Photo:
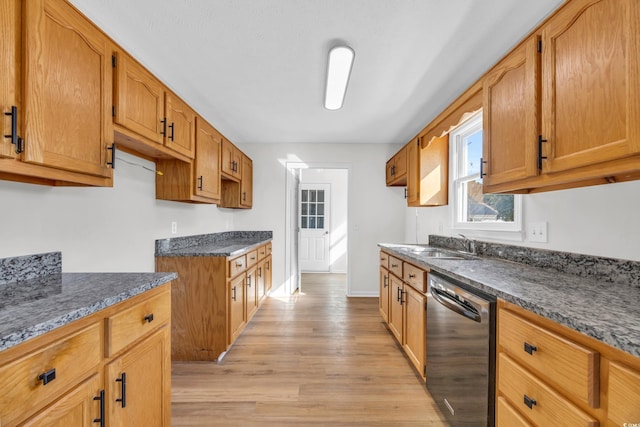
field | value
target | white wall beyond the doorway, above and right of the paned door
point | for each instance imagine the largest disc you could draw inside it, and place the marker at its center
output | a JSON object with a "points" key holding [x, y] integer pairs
{"points": [[338, 178]]}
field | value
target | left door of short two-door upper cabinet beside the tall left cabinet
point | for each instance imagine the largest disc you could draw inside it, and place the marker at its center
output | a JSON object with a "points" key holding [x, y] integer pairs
{"points": [[139, 99]]}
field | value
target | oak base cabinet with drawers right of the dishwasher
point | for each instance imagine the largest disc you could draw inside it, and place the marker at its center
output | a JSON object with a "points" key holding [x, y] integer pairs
{"points": [[548, 374]]}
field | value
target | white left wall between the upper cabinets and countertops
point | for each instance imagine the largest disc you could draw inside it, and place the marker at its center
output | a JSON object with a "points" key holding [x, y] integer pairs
{"points": [[100, 229]]}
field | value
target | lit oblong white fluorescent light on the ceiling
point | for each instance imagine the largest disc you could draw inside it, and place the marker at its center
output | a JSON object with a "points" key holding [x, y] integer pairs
{"points": [[338, 71]]}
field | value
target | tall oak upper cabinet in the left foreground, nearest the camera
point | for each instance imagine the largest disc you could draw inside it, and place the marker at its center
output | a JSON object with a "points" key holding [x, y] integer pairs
{"points": [[63, 138]]}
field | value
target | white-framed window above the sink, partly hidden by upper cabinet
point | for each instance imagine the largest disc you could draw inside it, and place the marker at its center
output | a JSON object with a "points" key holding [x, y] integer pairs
{"points": [[471, 208]]}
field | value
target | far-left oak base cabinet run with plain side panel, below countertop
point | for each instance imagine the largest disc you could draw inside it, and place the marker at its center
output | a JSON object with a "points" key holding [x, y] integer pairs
{"points": [[213, 299]]}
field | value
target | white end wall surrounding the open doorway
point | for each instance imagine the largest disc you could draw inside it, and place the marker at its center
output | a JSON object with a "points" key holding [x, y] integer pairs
{"points": [[375, 211]]}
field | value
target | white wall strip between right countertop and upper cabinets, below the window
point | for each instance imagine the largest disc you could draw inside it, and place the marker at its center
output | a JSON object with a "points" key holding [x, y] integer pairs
{"points": [[601, 220]]}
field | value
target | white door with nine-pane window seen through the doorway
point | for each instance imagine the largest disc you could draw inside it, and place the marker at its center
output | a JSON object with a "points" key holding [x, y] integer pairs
{"points": [[314, 222]]}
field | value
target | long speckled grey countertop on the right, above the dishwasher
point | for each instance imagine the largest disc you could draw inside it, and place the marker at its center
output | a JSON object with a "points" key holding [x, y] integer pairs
{"points": [[605, 310]]}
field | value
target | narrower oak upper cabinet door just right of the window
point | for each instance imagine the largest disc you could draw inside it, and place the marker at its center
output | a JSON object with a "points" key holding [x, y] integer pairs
{"points": [[510, 128]]}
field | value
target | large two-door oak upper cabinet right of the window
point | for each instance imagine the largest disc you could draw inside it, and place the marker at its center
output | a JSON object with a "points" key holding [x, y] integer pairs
{"points": [[576, 121]]}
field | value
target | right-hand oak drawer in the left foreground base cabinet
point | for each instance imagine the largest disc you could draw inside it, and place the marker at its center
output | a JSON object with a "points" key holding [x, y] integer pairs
{"points": [[131, 324]]}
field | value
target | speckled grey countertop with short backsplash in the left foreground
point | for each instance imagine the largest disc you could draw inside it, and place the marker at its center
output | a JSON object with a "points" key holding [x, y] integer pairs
{"points": [[31, 306]]}
